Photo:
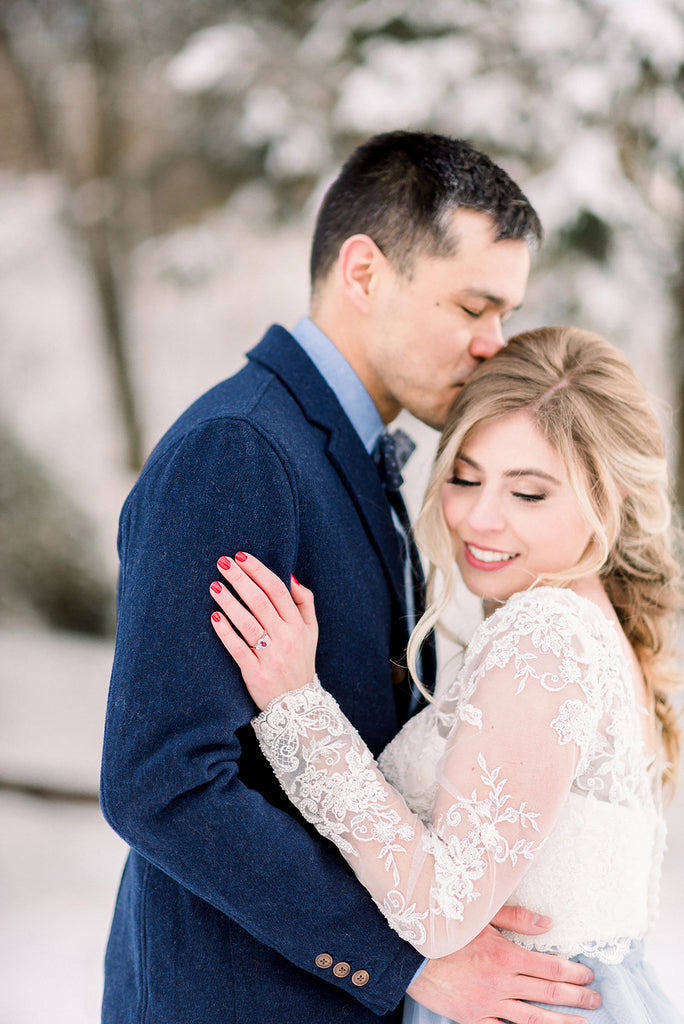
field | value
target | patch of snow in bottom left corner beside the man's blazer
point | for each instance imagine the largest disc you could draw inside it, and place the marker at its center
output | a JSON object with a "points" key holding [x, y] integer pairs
{"points": [[61, 868]]}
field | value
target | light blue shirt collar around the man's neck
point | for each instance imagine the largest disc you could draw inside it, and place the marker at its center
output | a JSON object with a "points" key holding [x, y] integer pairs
{"points": [[345, 381]]}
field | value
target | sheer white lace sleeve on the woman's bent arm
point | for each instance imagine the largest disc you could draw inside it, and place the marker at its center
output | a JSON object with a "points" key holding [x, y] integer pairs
{"points": [[515, 746]]}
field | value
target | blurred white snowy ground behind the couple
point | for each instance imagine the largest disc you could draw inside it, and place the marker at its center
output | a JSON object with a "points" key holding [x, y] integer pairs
{"points": [[60, 864]]}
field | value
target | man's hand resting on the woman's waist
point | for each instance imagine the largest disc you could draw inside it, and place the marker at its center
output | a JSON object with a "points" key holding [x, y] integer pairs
{"points": [[493, 979]]}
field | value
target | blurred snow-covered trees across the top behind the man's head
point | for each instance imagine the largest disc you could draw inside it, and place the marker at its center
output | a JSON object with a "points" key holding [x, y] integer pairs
{"points": [[582, 101]]}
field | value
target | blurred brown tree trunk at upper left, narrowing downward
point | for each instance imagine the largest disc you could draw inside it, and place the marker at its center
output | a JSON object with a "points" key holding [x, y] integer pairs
{"points": [[41, 53]]}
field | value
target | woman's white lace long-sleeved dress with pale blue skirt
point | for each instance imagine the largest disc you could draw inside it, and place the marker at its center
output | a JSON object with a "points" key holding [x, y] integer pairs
{"points": [[527, 783]]}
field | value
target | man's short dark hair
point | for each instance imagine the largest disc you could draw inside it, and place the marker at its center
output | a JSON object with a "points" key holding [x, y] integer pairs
{"points": [[400, 188]]}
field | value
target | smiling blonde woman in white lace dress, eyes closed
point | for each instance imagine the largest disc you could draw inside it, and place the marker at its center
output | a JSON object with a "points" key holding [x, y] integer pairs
{"points": [[536, 776]]}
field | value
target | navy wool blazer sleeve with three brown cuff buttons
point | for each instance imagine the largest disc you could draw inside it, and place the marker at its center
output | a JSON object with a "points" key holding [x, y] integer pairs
{"points": [[172, 784]]}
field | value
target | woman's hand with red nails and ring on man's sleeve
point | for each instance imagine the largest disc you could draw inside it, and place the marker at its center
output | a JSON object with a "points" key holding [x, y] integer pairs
{"points": [[274, 638]]}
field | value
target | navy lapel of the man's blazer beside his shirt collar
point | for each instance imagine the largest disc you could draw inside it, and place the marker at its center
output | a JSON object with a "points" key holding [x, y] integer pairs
{"points": [[280, 353]]}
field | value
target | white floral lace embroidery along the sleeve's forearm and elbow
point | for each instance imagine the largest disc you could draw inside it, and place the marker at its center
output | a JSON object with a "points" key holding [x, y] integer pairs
{"points": [[336, 790]]}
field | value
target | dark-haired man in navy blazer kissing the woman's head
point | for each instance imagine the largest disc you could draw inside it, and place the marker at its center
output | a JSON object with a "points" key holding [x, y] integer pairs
{"points": [[231, 910]]}
